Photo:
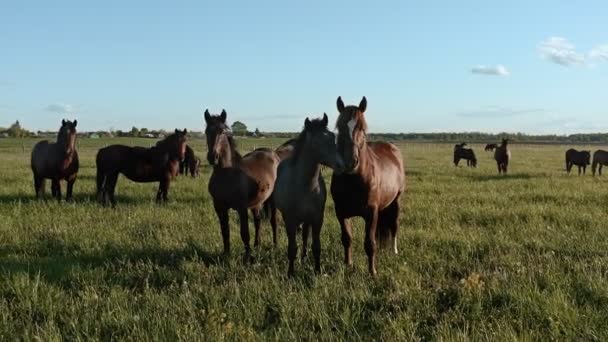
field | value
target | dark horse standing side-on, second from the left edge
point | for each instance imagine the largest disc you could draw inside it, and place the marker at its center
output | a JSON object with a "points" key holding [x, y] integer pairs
{"points": [[159, 163]]}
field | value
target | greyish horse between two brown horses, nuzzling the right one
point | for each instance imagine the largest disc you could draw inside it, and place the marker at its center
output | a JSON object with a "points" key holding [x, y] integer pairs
{"points": [[299, 191]]}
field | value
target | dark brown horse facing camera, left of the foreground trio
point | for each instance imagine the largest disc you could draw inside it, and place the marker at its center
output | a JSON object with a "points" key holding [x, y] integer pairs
{"points": [[239, 182]]}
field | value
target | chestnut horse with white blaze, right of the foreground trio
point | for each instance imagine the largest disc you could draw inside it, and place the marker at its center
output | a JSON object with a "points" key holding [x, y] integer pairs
{"points": [[370, 186]]}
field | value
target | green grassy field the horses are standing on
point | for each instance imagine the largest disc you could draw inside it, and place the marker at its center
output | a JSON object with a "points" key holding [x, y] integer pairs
{"points": [[481, 256]]}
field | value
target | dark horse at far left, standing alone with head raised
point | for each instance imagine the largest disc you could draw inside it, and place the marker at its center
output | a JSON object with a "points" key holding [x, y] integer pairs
{"points": [[56, 161]]}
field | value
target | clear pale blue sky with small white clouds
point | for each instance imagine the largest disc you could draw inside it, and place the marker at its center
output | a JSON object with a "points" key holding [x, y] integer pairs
{"points": [[529, 66]]}
